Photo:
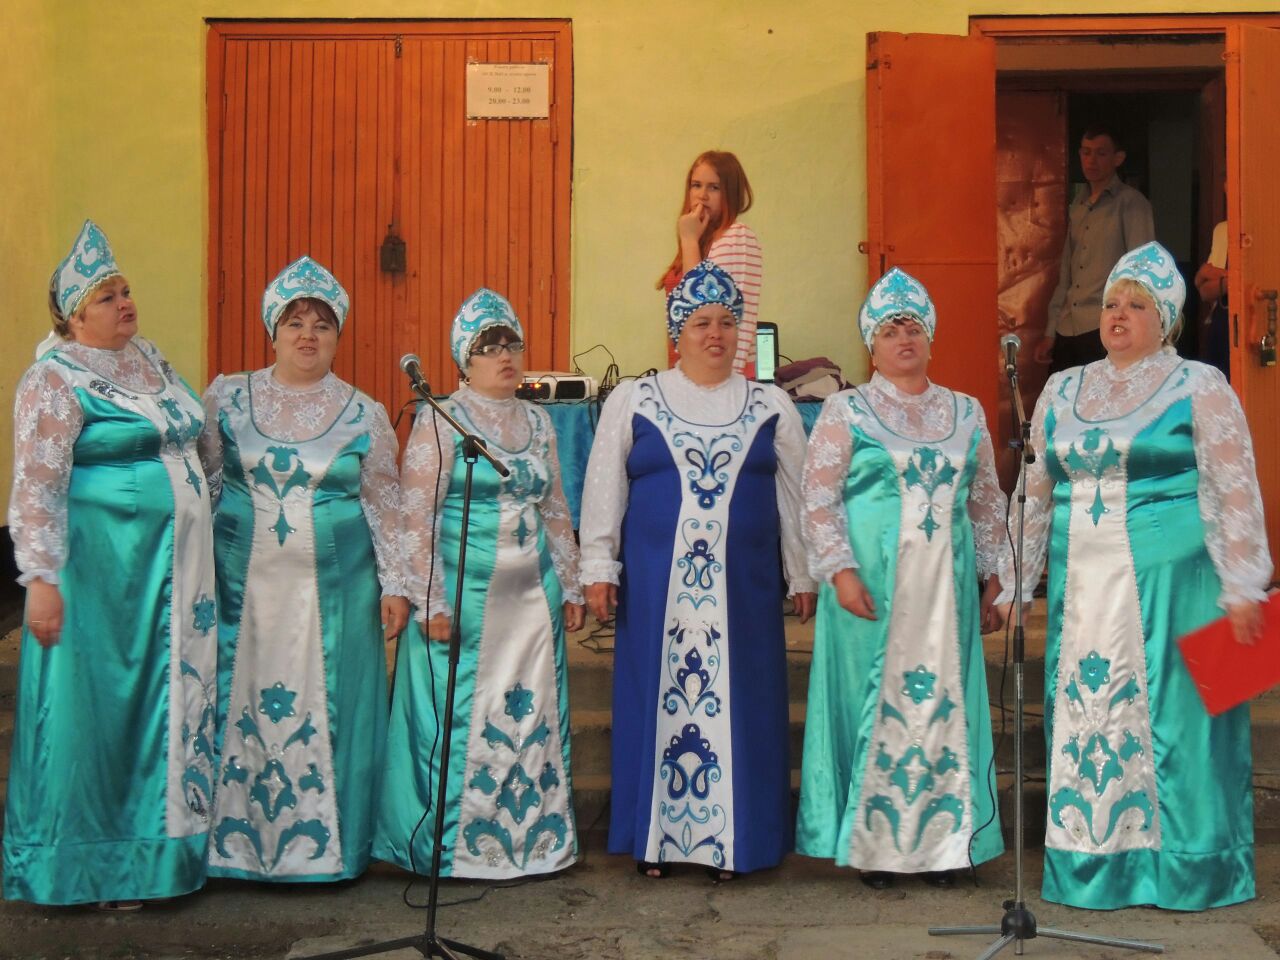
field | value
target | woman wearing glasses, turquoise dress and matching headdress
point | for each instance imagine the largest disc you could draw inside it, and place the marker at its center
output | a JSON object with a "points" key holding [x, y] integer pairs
{"points": [[510, 808]]}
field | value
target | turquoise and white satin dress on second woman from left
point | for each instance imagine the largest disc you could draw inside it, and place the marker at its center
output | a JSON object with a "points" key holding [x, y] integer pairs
{"points": [[303, 671]]}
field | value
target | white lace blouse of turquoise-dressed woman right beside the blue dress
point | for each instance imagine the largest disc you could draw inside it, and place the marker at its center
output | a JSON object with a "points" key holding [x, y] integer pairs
{"points": [[924, 418]]}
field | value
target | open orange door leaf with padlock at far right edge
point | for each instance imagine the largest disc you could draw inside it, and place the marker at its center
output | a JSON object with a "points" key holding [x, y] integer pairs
{"points": [[1254, 253]]}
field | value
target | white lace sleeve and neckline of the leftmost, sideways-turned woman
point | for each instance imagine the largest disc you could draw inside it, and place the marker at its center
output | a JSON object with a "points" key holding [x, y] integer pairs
{"points": [[48, 420]]}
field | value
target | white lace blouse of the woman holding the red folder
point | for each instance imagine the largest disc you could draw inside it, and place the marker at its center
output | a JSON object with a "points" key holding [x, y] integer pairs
{"points": [[1231, 502]]}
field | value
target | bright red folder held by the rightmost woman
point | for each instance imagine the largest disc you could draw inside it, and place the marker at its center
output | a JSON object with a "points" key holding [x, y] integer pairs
{"points": [[1227, 673]]}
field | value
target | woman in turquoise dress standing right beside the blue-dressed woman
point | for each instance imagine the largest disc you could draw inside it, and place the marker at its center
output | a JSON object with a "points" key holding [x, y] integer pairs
{"points": [[903, 515]]}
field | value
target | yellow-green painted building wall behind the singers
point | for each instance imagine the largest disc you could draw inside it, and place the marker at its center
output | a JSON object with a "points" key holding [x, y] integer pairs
{"points": [[104, 107]]}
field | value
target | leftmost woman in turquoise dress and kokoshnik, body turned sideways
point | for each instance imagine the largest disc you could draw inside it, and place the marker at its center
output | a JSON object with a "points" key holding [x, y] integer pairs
{"points": [[111, 784]]}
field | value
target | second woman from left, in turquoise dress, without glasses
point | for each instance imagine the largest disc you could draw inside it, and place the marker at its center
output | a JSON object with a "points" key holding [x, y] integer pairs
{"points": [[310, 584]]}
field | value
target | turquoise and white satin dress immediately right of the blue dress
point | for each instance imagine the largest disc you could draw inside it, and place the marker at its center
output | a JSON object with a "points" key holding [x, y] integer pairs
{"points": [[898, 770]]}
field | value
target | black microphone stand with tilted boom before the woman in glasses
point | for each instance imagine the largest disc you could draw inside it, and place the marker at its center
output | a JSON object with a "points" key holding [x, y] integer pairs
{"points": [[429, 944]]}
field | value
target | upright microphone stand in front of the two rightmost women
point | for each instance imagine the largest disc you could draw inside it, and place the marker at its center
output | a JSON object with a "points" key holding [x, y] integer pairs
{"points": [[1018, 925]]}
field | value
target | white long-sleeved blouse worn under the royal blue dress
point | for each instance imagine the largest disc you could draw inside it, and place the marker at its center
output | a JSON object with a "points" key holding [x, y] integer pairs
{"points": [[606, 491]]}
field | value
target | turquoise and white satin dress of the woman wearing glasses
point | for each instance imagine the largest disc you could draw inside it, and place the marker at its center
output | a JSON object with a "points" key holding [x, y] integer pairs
{"points": [[510, 808]]}
